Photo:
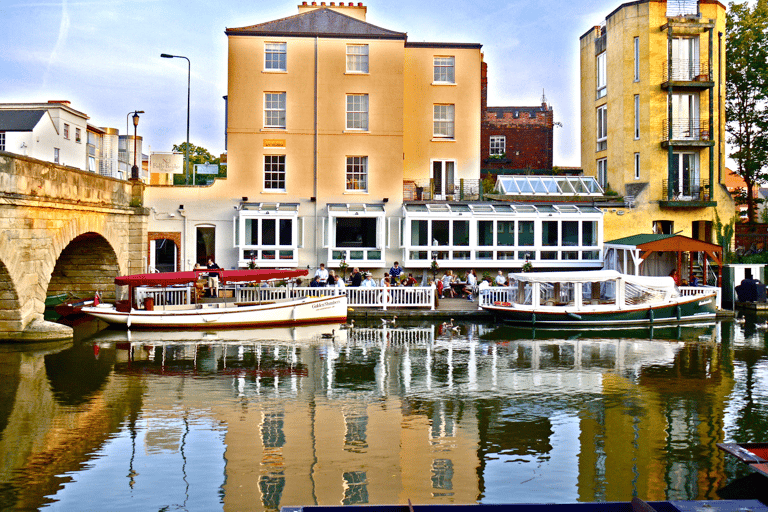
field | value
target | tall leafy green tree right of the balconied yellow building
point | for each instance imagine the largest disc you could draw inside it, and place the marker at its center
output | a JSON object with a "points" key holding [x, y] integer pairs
{"points": [[746, 91]]}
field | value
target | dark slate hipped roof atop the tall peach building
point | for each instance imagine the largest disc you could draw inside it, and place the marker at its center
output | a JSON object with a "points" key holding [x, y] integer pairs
{"points": [[319, 22]]}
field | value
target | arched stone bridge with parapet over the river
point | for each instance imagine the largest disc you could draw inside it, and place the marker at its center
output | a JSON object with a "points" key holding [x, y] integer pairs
{"points": [[62, 230]]}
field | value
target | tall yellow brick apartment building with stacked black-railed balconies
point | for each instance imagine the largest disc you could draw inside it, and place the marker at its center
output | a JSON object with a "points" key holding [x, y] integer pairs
{"points": [[653, 116]]}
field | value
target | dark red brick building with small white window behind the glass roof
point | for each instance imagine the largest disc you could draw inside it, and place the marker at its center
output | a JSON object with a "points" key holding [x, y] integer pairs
{"points": [[515, 138]]}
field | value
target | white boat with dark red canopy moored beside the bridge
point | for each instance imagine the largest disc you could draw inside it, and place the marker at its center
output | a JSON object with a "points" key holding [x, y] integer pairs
{"points": [[170, 301]]}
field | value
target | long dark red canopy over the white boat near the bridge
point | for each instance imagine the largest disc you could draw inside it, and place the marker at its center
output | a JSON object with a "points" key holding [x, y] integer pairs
{"points": [[225, 276]]}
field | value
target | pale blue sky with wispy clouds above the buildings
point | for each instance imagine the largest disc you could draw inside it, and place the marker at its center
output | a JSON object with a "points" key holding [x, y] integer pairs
{"points": [[104, 56]]}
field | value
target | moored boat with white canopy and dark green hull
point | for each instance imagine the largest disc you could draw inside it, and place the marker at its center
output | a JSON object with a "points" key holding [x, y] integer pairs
{"points": [[596, 298]]}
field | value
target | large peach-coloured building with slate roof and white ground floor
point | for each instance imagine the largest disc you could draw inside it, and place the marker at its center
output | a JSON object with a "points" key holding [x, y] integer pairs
{"points": [[327, 114]]}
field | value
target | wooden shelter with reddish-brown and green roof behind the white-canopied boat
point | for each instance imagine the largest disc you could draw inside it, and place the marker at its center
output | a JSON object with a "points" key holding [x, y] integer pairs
{"points": [[640, 247]]}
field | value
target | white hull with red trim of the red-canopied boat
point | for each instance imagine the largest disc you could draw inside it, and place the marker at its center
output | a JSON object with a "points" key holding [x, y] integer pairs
{"points": [[213, 316]]}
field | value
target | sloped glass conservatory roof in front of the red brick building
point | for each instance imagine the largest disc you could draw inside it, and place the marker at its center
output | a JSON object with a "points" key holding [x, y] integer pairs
{"points": [[548, 185]]}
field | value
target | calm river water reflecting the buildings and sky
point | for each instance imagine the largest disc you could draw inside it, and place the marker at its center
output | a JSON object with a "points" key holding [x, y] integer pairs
{"points": [[255, 420]]}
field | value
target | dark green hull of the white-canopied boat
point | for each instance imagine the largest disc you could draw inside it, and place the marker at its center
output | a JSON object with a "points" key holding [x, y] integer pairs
{"points": [[687, 309]]}
